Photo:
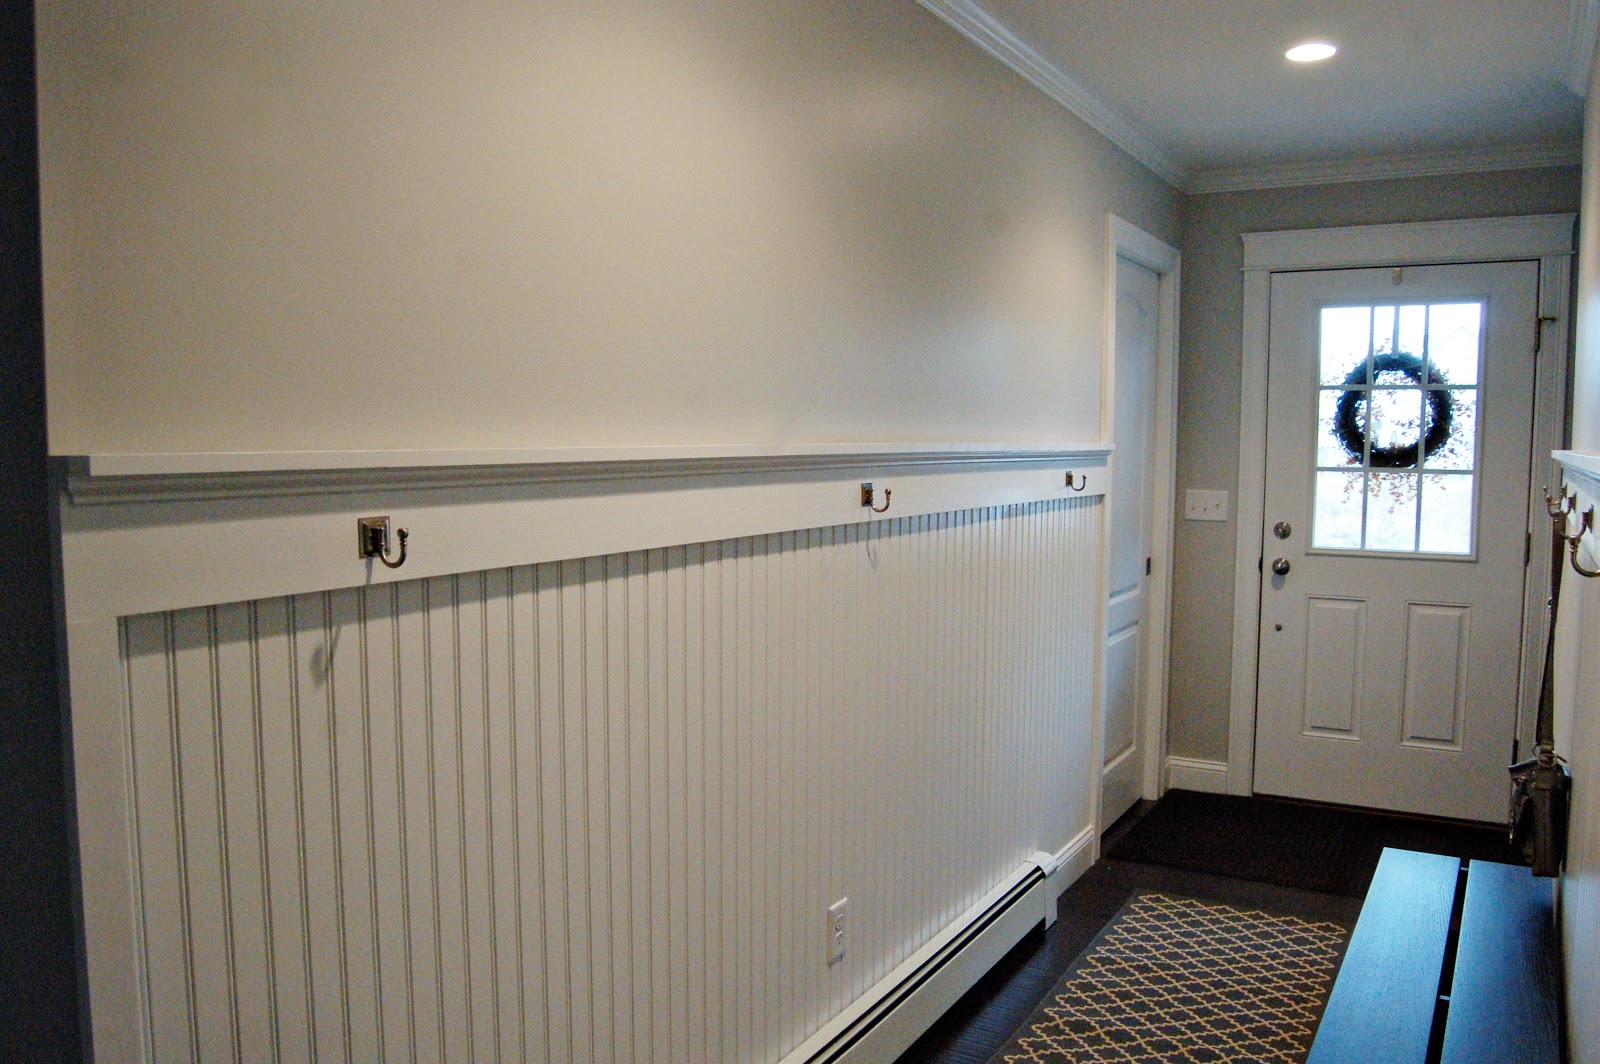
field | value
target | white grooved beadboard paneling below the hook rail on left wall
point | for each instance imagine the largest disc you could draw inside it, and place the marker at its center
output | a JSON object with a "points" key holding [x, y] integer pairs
{"points": [[596, 809]]}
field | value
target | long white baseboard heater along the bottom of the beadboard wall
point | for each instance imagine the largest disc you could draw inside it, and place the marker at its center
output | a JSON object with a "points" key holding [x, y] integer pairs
{"points": [[889, 1018]]}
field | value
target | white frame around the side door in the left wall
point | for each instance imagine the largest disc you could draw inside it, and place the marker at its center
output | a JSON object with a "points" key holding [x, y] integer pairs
{"points": [[1127, 241]]}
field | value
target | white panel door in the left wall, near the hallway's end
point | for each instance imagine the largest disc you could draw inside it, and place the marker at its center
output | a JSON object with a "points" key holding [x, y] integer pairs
{"points": [[1129, 537]]}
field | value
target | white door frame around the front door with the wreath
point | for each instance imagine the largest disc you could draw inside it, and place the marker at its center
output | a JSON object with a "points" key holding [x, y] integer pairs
{"points": [[1543, 238]]}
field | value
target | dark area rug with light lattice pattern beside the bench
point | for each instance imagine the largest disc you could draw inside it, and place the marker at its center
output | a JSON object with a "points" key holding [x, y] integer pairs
{"points": [[1172, 980]]}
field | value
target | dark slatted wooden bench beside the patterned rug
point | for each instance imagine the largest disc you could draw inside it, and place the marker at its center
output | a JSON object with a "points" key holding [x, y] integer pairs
{"points": [[1449, 962]]}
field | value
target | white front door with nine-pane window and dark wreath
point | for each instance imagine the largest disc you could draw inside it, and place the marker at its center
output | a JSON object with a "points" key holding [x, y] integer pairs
{"points": [[1399, 433]]}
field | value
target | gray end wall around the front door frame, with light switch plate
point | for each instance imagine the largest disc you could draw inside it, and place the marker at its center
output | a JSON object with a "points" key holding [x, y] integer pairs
{"points": [[1209, 390]]}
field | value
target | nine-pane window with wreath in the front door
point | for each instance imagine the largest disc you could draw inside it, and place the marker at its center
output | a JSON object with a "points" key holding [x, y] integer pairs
{"points": [[1398, 428]]}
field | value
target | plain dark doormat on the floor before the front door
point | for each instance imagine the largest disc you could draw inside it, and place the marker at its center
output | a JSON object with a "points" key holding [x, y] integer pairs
{"points": [[1308, 847]]}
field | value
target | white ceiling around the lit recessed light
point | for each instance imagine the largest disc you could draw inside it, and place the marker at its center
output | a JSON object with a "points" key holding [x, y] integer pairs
{"points": [[1201, 89]]}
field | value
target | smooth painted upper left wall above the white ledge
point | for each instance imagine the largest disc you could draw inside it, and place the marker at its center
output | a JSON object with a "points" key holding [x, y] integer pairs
{"points": [[622, 223]]}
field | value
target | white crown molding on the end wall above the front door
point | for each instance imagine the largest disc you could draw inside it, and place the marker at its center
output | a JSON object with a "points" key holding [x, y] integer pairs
{"points": [[1388, 167]]}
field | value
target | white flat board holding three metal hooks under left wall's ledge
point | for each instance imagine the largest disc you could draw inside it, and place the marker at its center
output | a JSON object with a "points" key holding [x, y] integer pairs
{"points": [[177, 553]]}
